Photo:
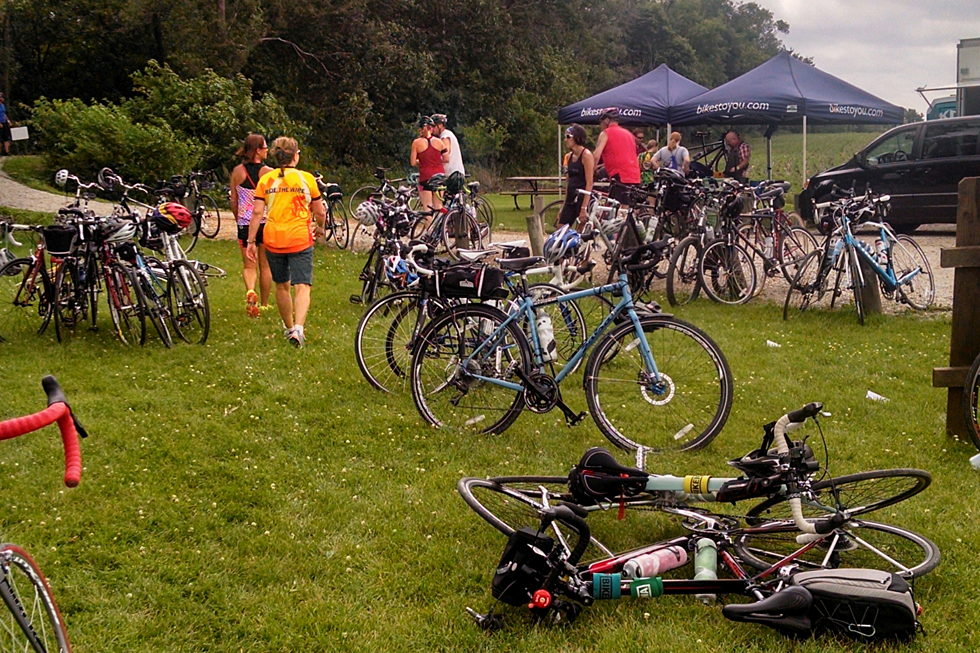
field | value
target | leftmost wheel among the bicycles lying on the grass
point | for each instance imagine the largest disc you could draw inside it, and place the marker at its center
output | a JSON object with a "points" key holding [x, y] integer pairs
{"points": [[507, 509]]}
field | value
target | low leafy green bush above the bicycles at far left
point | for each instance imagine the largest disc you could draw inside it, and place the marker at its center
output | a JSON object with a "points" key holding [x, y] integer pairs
{"points": [[84, 138]]}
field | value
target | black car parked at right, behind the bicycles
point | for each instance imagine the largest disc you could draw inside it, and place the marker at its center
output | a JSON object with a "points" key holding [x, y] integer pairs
{"points": [[918, 165]]}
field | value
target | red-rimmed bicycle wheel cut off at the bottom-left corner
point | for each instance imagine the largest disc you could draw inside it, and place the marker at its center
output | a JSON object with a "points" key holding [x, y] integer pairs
{"points": [[33, 621]]}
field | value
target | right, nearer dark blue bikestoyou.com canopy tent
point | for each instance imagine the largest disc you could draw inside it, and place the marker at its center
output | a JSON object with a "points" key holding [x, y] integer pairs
{"points": [[785, 90]]}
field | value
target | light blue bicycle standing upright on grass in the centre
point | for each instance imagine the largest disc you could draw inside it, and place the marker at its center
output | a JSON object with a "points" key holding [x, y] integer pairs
{"points": [[474, 368]]}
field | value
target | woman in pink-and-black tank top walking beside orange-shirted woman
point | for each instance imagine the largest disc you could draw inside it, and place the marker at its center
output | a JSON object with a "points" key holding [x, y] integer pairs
{"points": [[243, 180]]}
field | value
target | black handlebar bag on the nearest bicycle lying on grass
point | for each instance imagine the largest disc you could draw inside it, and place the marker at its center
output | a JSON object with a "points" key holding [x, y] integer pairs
{"points": [[523, 567]]}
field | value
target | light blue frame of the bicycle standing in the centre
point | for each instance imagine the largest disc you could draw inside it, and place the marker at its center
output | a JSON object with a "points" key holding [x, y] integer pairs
{"points": [[526, 309]]}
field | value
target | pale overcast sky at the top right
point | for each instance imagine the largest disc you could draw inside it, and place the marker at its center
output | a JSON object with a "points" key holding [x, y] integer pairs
{"points": [[886, 47]]}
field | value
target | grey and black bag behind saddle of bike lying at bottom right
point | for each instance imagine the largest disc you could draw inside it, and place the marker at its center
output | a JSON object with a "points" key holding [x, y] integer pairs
{"points": [[864, 604]]}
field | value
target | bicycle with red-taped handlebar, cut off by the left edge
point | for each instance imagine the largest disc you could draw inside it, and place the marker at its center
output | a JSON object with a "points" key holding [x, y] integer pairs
{"points": [[35, 622]]}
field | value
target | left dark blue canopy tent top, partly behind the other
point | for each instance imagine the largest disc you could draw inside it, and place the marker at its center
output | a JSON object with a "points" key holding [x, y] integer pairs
{"points": [[644, 101]]}
